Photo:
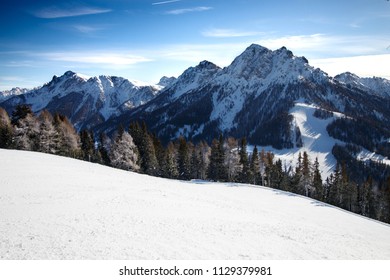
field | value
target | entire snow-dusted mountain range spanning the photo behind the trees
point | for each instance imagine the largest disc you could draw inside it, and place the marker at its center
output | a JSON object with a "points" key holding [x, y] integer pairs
{"points": [[274, 98]]}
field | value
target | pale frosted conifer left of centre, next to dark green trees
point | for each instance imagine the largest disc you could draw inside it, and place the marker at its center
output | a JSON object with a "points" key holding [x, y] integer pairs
{"points": [[123, 153]]}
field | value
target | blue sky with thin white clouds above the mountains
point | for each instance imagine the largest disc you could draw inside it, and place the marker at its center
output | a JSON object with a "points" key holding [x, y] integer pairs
{"points": [[144, 40]]}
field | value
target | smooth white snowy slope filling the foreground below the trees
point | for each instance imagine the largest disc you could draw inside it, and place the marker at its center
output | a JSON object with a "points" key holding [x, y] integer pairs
{"points": [[60, 208]]}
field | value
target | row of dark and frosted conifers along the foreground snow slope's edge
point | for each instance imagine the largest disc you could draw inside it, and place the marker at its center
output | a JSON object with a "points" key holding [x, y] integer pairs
{"points": [[225, 160]]}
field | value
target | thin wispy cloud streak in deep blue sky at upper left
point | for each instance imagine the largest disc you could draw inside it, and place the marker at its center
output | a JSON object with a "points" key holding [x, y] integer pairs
{"points": [[62, 12]]}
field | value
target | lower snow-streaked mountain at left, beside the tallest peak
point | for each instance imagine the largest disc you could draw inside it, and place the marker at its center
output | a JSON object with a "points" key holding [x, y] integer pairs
{"points": [[86, 101]]}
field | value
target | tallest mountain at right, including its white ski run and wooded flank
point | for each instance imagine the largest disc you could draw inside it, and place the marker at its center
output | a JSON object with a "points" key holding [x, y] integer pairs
{"points": [[269, 97]]}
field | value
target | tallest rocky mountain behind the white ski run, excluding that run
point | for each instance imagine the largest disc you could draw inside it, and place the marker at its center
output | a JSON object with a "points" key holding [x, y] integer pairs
{"points": [[252, 97]]}
